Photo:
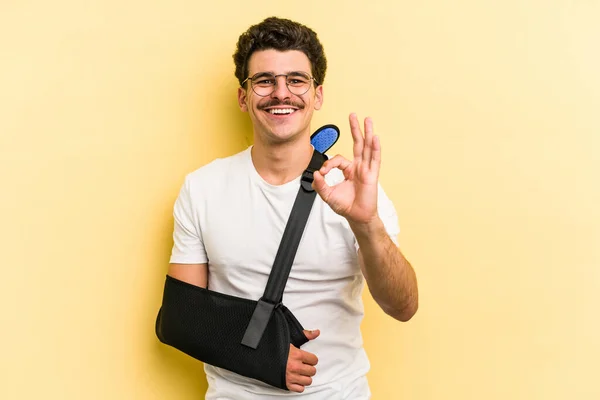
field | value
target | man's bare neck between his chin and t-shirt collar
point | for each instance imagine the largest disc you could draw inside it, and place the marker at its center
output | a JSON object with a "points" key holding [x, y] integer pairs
{"points": [[279, 163]]}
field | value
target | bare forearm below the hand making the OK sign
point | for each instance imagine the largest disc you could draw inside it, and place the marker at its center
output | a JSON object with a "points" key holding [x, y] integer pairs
{"points": [[390, 277]]}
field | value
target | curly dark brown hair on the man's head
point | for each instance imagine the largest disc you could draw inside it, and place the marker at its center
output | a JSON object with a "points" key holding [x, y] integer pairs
{"points": [[280, 34]]}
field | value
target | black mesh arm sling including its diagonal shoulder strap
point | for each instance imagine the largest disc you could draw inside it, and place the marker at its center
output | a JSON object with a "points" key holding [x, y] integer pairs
{"points": [[248, 337]]}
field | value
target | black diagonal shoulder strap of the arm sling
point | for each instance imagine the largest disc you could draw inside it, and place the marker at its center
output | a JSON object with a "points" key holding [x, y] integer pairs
{"points": [[286, 253]]}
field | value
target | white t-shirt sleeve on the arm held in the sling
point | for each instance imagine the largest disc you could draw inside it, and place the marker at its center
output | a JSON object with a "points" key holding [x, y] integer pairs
{"points": [[188, 246]]}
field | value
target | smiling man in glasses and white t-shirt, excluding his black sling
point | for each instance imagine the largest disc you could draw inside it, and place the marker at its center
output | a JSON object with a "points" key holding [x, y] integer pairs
{"points": [[230, 216]]}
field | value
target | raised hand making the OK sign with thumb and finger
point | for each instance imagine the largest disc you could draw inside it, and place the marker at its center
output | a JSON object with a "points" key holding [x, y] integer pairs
{"points": [[356, 197]]}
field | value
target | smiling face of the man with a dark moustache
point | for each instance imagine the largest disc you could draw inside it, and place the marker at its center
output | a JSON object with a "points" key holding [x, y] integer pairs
{"points": [[275, 126]]}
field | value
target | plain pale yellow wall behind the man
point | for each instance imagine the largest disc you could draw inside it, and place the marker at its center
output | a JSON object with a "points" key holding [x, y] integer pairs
{"points": [[489, 117]]}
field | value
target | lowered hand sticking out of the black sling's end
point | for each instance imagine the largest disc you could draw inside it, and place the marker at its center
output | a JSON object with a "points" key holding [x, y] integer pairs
{"points": [[301, 366]]}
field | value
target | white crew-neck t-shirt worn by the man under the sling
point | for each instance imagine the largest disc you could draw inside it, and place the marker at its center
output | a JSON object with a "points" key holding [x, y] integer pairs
{"points": [[226, 215]]}
